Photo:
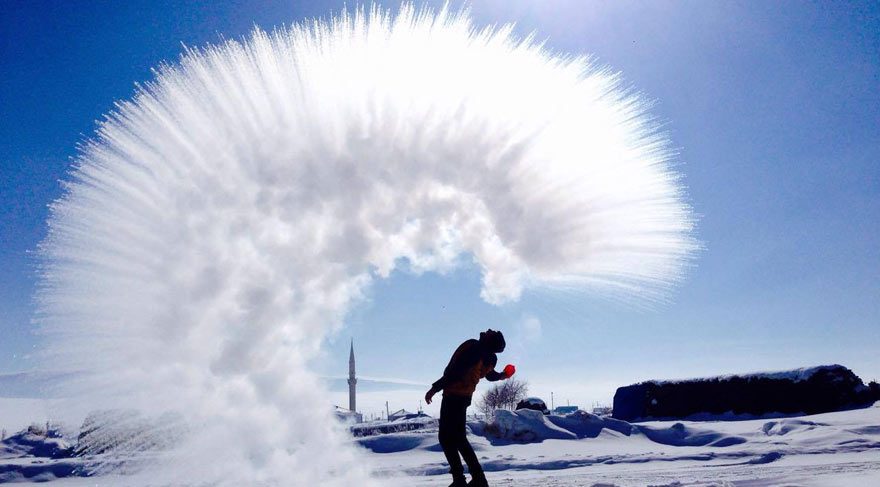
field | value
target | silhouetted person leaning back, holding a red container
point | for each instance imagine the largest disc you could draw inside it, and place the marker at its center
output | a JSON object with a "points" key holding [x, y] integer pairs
{"points": [[471, 361]]}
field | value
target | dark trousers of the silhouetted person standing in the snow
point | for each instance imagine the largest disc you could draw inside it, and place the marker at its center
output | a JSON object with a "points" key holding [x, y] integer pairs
{"points": [[453, 436]]}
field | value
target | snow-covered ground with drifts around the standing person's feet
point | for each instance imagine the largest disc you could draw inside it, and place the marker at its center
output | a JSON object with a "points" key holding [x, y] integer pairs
{"points": [[834, 449]]}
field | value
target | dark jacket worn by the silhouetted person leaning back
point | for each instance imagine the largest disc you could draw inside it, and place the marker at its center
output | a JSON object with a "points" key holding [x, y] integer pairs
{"points": [[472, 361]]}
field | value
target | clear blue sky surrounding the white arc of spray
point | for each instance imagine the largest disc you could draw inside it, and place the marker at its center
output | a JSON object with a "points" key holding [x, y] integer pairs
{"points": [[775, 107]]}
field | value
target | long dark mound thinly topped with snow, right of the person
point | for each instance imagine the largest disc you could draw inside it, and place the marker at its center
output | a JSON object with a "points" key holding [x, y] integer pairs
{"points": [[801, 391]]}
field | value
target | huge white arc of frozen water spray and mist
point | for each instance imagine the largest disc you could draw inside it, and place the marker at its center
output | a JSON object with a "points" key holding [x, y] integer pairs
{"points": [[222, 222]]}
